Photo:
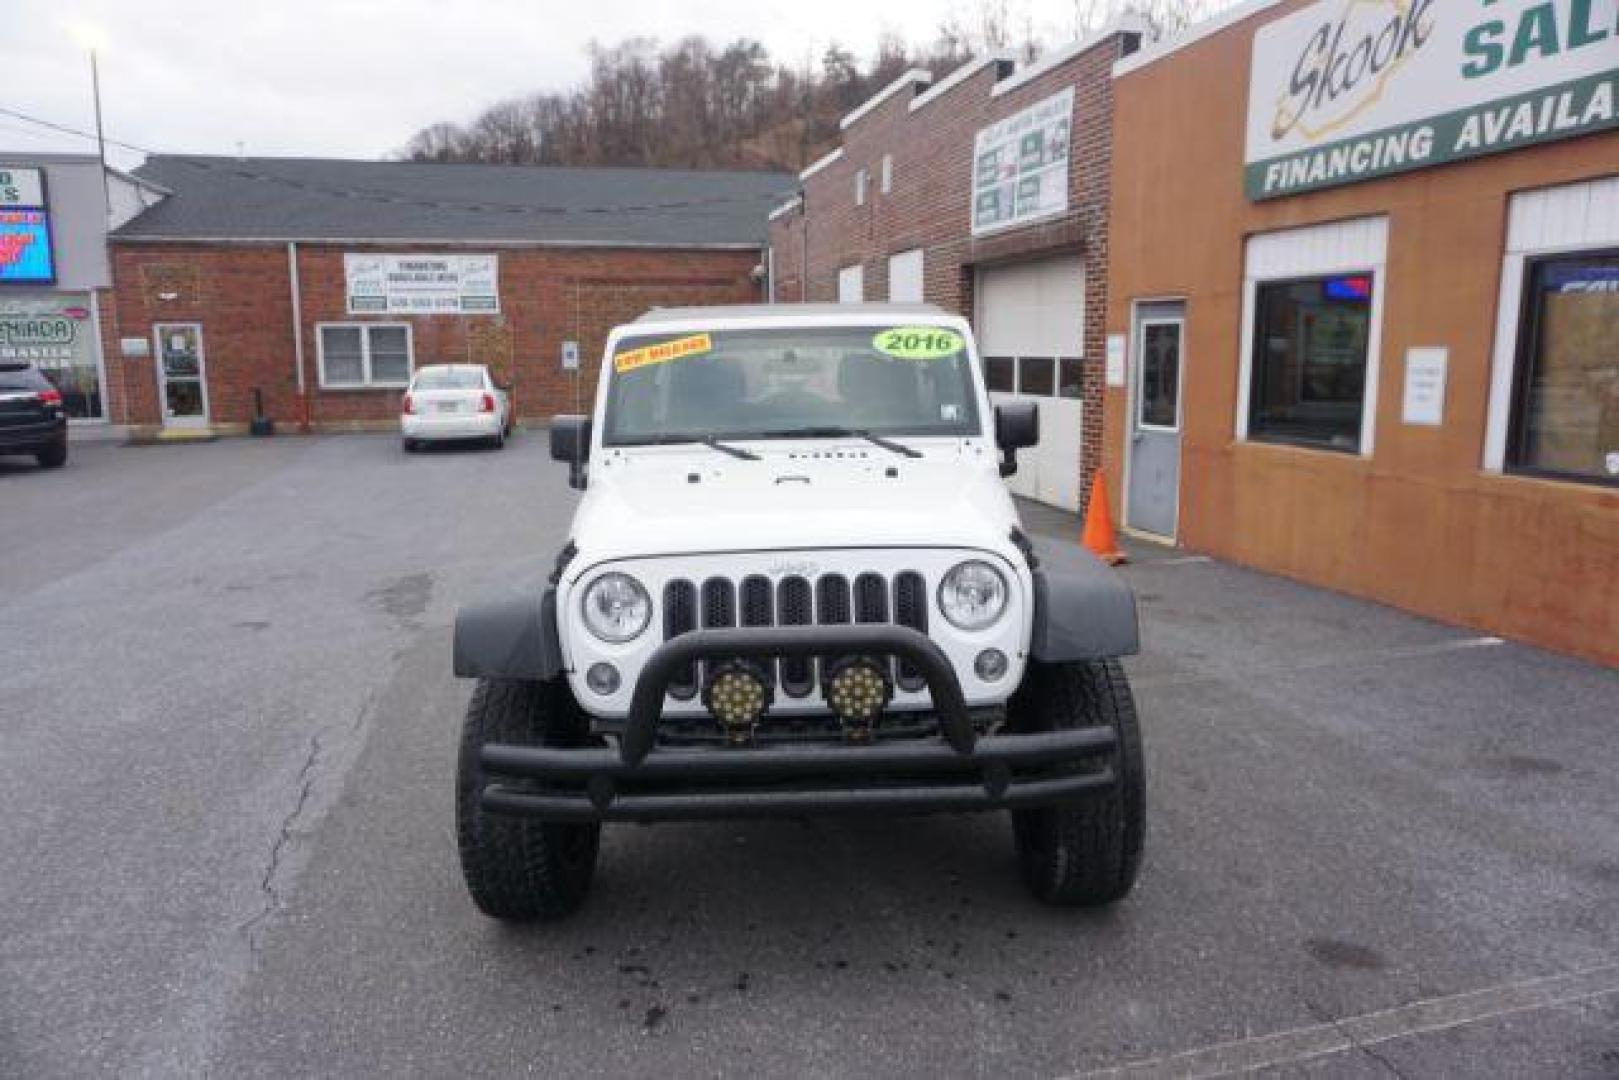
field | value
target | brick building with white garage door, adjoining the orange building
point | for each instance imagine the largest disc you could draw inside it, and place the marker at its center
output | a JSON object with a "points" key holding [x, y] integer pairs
{"points": [[985, 193]]}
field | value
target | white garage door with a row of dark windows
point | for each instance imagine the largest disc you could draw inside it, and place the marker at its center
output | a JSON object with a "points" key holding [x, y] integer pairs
{"points": [[1032, 331]]}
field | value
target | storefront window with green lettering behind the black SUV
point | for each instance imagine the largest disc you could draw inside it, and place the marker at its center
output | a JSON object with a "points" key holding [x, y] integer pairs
{"points": [[57, 334]]}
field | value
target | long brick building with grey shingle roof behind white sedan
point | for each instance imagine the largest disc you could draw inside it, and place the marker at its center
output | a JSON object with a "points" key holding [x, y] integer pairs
{"points": [[320, 286]]}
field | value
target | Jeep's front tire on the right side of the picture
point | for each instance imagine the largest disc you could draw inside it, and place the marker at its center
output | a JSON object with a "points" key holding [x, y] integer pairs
{"points": [[1084, 854]]}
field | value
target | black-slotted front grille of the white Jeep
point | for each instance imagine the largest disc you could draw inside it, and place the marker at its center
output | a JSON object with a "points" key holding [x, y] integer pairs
{"points": [[796, 602]]}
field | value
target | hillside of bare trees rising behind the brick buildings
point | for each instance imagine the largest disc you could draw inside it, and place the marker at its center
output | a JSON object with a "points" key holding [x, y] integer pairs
{"points": [[699, 104]]}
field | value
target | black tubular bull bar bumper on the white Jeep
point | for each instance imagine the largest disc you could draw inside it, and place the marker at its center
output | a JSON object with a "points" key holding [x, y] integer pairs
{"points": [[956, 772]]}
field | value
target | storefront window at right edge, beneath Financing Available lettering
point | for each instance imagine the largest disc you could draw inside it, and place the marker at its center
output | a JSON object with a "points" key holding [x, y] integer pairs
{"points": [[1566, 406]]}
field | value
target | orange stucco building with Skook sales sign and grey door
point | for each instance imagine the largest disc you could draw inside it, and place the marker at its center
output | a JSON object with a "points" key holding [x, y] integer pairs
{"points": [[1364, 307]]}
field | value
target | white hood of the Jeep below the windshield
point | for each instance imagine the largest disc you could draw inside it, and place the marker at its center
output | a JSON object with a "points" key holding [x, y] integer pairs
{"points": [[686, 506]]}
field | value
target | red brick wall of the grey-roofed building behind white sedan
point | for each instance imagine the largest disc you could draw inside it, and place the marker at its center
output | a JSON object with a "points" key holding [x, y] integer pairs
{"points": [[242, 297]]}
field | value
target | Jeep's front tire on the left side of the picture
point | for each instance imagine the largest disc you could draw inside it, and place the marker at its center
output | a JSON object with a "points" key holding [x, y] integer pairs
{"points": [[521, 870]]}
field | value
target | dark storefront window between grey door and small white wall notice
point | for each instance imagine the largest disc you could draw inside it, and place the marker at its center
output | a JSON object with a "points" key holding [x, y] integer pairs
{"points": [[1311, 346]]}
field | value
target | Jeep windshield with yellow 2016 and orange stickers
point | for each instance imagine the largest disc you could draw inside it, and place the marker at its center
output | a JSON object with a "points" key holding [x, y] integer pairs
{"points": [[791, 383]]}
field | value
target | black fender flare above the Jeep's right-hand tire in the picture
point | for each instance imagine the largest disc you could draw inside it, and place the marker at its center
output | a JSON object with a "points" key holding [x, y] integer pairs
{"points": [[1084, 610]]}
